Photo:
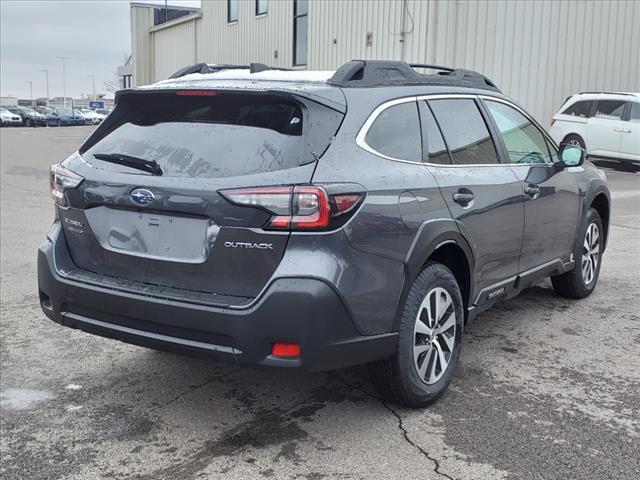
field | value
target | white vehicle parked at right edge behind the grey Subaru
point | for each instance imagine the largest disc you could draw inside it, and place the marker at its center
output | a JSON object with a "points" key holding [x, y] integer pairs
{"points": [[606, 125]]}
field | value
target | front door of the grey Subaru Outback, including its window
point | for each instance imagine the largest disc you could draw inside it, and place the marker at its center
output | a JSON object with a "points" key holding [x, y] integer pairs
{"points": [[551, 200]]}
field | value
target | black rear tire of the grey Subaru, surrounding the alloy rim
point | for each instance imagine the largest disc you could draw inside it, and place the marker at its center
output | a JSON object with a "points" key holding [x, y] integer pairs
{"points": [[397, 378]]}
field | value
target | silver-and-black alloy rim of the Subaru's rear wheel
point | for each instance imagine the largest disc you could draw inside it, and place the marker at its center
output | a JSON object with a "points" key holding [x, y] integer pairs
{"points": [[434, 335]]}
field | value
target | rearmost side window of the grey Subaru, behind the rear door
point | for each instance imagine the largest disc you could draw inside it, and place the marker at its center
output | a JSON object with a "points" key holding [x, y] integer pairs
{"points": [[396, 132]]}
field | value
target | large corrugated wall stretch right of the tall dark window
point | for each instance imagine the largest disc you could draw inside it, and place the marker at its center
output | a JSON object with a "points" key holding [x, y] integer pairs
{"points": [[538, 52]]}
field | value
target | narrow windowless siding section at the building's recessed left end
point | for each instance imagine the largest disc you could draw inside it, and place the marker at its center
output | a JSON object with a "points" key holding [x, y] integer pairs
{"points": [[174, 48]]}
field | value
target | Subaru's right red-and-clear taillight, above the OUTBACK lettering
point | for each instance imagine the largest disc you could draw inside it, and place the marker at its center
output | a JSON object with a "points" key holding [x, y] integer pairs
{"points": [[296, 208]]}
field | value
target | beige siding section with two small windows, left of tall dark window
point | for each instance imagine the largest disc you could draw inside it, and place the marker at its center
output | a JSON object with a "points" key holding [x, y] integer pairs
{"points": [[251, 38]]}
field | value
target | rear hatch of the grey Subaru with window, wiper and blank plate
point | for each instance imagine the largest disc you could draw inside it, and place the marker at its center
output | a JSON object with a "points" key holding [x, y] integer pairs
{"points": [[183, 192]]}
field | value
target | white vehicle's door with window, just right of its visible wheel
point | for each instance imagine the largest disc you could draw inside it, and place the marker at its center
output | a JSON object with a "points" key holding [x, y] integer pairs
{"points": [[604, 129]]}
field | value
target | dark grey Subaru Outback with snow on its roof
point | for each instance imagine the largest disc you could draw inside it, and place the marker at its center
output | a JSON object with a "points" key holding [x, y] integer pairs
{"points": [[310, 221]]}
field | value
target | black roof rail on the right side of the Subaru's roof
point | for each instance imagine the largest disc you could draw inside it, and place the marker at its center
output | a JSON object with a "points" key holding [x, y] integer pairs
{"points": [[375, 73]]}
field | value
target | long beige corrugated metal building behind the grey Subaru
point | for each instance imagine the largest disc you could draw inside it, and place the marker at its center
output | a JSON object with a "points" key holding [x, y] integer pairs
{"points": [[537, 51]]}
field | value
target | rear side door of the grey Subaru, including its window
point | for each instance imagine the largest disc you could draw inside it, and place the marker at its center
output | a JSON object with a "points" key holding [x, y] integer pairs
{"points": [[483, 195]]}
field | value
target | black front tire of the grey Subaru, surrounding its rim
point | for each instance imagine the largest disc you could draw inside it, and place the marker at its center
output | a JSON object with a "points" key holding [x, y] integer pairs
{"points": [[573, 283]]}
